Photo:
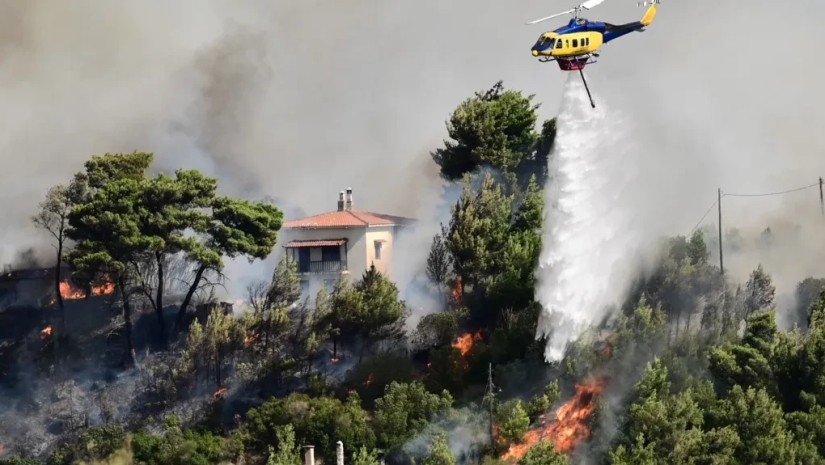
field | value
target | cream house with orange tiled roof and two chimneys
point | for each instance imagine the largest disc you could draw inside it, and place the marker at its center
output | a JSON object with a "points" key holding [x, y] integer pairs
{"points": [[341, 242]]}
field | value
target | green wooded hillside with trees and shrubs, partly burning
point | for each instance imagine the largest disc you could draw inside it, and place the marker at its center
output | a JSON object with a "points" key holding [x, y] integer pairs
{"points": [[693, 371]]}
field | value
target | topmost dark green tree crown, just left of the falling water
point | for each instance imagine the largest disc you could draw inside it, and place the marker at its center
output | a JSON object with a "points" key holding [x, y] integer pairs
{"points": [[495, 128]]}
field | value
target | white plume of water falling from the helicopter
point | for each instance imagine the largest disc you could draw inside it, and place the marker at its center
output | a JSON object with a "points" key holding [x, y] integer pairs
{"points": [[591, 239]]}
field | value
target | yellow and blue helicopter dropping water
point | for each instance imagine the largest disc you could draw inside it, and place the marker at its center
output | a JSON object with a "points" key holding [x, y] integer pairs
{"points": [[574, 45]]}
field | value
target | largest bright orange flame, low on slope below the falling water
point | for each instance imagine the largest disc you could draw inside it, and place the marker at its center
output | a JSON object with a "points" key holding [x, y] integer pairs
{"points": [[568, 429]]}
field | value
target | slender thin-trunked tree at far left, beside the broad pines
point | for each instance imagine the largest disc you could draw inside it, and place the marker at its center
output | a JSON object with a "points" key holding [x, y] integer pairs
{"points": [[53, 217]]}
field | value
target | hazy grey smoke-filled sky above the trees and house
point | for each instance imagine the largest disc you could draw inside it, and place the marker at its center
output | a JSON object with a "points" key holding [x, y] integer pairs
{"points": [[300, 100]]}
